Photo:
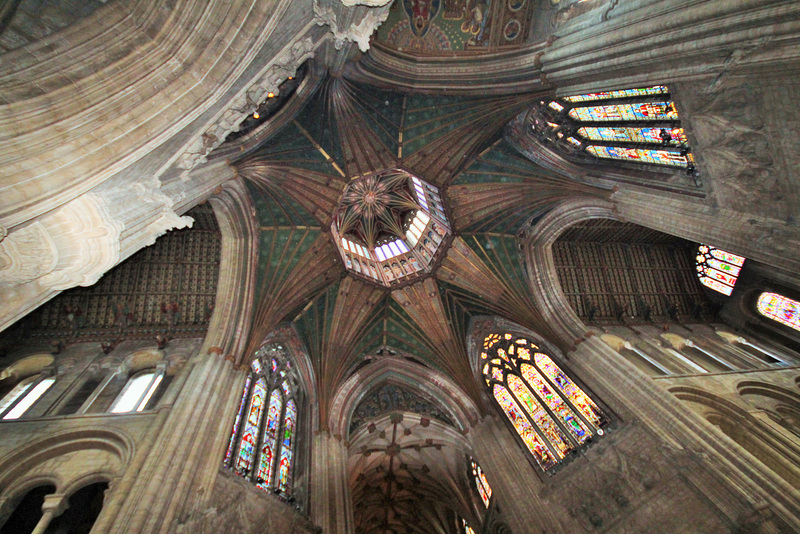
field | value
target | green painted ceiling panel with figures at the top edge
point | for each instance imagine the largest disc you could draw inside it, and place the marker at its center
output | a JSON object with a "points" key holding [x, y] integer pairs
{"points": [[436, 26]]}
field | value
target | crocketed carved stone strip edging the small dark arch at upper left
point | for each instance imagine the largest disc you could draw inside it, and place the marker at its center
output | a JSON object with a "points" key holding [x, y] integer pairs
{"points": [[285, 64]]}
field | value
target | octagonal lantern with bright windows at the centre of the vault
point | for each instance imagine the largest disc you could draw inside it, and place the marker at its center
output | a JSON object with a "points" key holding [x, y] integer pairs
{"points": [[390, 227]]}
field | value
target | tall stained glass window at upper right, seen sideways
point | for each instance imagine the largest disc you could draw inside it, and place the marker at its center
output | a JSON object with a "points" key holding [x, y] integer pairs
{"points": [[638, 125]]}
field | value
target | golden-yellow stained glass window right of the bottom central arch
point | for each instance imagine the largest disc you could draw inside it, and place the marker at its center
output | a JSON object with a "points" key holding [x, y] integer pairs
{"points": [[551, 413]]}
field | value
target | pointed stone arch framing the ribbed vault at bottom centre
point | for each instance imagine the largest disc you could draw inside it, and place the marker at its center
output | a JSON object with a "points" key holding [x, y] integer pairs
{"points": [[430, 384]]}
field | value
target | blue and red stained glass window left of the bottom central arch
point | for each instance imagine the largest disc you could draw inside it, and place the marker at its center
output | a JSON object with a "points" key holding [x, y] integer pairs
{"points": [[262, 442]]}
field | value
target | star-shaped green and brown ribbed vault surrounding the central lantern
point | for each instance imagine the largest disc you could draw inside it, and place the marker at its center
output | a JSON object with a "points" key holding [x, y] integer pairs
{"points": [[454, 146]]}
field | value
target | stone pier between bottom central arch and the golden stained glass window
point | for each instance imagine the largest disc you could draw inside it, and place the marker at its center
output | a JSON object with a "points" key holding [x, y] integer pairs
{"points": [[515, 484]]}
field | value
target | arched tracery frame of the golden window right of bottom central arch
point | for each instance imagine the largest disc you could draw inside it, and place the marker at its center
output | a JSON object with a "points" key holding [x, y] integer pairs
{"points": [[541, 427]]}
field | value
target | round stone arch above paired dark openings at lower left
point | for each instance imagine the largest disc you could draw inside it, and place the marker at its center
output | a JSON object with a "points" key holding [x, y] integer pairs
{"points": [[68, 460]]}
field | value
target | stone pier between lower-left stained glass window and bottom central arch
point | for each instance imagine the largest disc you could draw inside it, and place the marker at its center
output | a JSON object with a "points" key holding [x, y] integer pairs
{"points": [[331, 504]]}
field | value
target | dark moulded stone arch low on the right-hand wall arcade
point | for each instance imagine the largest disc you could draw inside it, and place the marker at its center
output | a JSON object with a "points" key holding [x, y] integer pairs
{"points": [[781, 456]]}
